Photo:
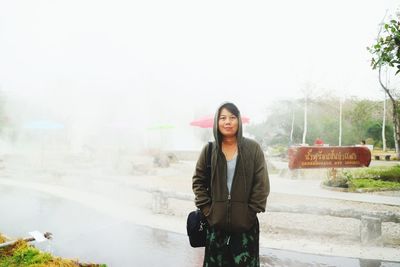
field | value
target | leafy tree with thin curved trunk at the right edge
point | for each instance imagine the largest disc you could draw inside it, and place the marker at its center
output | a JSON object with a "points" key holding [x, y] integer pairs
{"points": [[386, 52]]}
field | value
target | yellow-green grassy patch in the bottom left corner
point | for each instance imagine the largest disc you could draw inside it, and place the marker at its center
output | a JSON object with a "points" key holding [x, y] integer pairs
{"points": [[22, 254]]}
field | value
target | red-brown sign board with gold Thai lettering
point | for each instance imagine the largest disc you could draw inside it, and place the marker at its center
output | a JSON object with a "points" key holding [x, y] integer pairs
{"points": [[302, 157]]}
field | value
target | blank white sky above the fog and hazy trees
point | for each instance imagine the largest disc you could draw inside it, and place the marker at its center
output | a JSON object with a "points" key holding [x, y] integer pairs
{"points": [[171, 61]]}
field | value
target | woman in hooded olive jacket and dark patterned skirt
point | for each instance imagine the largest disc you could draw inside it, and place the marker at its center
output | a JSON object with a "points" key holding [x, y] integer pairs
{"points": [[238, 191]]}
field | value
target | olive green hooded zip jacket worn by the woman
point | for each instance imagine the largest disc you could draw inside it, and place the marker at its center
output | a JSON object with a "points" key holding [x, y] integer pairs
{"points": [[235, 212]]}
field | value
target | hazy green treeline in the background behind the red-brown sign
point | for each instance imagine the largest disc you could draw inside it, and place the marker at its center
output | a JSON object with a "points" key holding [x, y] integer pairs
{"points": [[283, 123]]}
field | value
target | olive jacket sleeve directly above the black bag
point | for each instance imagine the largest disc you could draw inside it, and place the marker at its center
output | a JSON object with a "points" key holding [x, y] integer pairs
{"points": [[199, 182]]}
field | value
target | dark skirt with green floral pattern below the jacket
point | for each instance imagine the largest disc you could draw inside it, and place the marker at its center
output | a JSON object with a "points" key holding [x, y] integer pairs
{"points": [[224, 249]]}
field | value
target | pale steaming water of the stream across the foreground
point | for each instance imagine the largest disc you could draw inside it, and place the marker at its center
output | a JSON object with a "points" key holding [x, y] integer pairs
{"points": [[80, 232]]}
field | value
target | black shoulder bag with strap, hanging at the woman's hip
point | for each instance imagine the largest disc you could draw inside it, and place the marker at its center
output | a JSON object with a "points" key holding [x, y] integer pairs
{"points": [[196, 224]]}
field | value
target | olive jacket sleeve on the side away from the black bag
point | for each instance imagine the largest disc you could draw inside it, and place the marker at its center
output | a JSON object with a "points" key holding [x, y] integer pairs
{"points": [[260, 188]]}
